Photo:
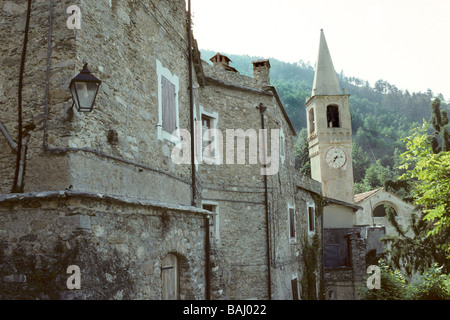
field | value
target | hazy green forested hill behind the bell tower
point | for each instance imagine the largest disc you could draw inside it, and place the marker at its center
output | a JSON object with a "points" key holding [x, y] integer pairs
{"points": [[381, 114]]}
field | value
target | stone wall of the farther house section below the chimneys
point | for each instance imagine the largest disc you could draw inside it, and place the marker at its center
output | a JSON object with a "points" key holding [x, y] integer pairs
{"points": [[241, 267]]}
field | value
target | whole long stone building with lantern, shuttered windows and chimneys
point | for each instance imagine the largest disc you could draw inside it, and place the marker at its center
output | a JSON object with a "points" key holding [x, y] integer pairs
{"points": [[106, 190]]}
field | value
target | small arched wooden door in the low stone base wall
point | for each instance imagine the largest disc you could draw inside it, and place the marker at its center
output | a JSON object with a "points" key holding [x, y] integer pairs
{"points": [[170, 278]]}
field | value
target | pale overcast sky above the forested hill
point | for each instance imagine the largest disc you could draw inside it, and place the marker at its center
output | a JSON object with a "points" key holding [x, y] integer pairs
{"points": [[405, 42]]}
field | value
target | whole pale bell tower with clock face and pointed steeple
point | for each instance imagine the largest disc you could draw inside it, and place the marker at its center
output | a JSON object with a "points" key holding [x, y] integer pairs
{"points": [[330, 130]]}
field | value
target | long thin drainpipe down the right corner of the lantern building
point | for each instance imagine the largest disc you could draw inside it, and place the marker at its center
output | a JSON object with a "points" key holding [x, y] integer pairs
{"points": [[191, 105]]}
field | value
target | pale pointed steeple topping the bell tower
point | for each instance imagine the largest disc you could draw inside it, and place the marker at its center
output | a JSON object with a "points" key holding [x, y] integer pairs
{"points": [[325, 79]]}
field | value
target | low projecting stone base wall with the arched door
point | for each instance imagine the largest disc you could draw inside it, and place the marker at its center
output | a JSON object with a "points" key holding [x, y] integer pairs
{"points": [[118, 245]]}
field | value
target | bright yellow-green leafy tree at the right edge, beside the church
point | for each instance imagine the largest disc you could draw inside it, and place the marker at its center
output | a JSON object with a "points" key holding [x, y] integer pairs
{"points": [[426, 182]]}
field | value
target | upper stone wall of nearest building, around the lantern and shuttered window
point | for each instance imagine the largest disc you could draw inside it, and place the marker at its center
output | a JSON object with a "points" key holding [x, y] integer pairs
{"points": [[122, 42]]}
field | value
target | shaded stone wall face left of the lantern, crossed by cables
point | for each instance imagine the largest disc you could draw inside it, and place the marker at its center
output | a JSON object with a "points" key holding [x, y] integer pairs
{"points": [[13, 16]]}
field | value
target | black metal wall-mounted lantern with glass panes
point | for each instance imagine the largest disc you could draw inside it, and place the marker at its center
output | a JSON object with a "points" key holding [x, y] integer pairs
{"points": [[84, 88]]}
